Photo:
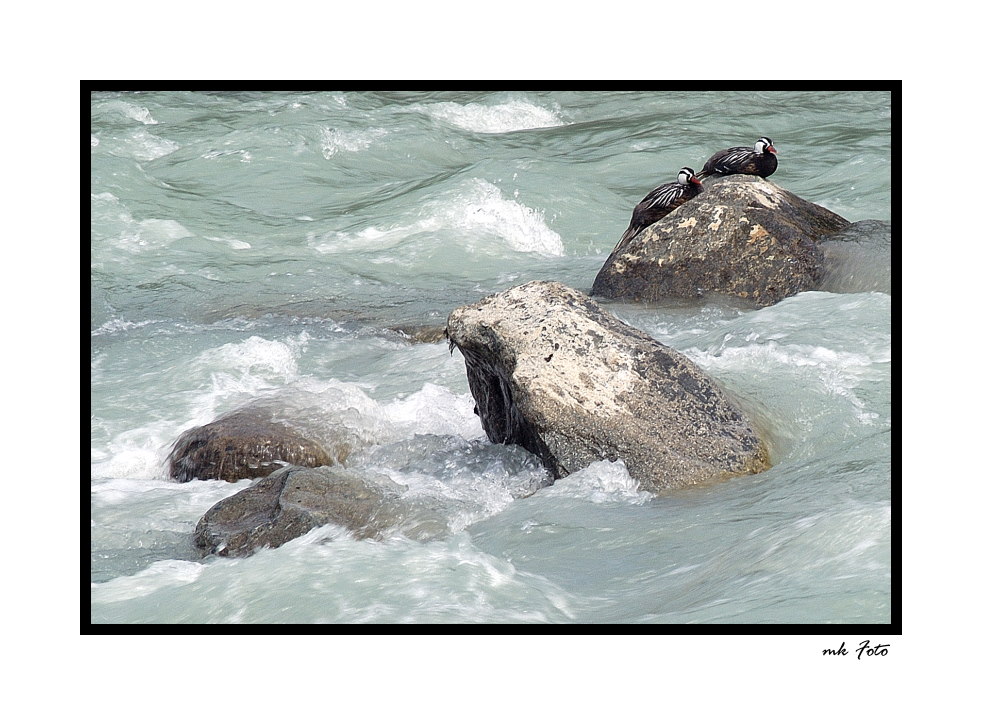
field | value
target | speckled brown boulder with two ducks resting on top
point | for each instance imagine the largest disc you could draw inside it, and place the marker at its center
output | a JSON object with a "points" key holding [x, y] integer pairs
{"points": [[743, 236]]}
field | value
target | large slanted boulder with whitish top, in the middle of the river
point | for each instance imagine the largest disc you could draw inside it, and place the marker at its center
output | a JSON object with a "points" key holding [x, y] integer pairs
{"points": [[553, 372]]}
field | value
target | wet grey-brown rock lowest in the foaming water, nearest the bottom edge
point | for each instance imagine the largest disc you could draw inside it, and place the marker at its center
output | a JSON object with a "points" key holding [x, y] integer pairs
{"points": [[294, 500]]}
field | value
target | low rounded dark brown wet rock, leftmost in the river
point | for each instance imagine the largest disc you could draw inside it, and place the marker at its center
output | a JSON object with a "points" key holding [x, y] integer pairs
{"points": [[246, 444]]}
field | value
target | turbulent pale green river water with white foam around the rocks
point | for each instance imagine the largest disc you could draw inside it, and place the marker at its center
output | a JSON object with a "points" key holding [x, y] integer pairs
{"points": [[277, 248]]}
